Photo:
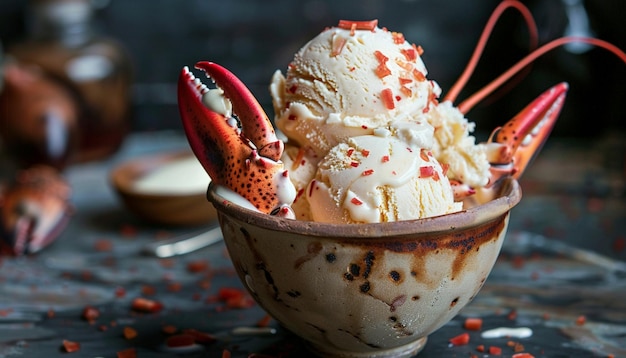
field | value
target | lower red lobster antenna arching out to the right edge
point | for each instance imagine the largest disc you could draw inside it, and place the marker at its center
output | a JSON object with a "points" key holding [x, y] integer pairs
{"points": [[474, 99]]}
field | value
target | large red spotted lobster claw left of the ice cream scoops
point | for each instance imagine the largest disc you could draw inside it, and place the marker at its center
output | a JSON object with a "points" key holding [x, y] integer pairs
{"points": [[239, 152]]}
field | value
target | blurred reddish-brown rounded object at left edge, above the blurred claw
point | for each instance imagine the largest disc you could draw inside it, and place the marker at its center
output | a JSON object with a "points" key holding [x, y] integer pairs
{"points": [[38, 119]]}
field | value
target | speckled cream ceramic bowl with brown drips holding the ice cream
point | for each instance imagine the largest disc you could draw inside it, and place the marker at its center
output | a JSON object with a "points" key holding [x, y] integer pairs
{"points": [[371, 289]]}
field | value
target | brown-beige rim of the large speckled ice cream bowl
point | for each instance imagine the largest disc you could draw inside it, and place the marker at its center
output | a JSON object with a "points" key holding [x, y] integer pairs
{"points": [[509, 195]]}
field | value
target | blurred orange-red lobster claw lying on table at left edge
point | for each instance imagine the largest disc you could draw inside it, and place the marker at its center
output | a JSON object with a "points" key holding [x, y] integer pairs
{"points": [[34, 210]]}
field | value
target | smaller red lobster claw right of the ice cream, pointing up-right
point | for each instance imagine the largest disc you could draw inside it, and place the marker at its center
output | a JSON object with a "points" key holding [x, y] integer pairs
{"points": [[521, 138]]}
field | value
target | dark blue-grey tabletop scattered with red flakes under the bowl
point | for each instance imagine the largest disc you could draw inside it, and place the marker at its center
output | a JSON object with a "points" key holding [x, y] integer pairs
{"points": [[562, 273]]}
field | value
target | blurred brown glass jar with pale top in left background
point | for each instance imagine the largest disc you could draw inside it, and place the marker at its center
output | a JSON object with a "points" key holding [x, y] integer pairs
{"points": [[62, 42]]}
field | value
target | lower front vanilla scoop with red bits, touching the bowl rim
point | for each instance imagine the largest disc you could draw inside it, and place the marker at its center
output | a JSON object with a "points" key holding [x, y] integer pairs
{"points": [[381, 177]]}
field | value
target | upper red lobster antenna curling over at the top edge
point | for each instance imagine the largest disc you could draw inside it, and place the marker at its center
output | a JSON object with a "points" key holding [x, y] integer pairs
{"points": [[456, 89]]}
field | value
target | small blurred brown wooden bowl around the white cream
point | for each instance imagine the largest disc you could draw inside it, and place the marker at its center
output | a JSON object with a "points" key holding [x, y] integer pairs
{"points": [[168, 208]]}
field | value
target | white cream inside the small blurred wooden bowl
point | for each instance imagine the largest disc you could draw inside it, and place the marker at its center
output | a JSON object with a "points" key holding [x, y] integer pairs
{"points": [[182, 176]]}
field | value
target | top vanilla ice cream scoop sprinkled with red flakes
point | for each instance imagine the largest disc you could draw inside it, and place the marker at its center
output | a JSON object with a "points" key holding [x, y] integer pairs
{"points": [[346, 83]]}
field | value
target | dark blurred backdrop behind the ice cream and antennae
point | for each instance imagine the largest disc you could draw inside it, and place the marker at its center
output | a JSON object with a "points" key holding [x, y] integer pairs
{"points": [[254, 38]]}
